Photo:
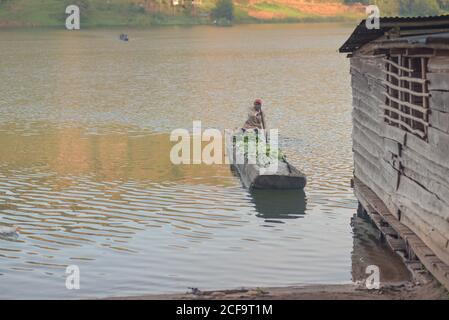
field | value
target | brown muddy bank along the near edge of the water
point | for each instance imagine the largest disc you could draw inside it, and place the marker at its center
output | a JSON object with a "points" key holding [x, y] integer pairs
{"points": [[403, 291]]}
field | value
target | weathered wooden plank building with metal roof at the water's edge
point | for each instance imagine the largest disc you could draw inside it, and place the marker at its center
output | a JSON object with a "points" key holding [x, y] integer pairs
{"points": [[400, 85]]}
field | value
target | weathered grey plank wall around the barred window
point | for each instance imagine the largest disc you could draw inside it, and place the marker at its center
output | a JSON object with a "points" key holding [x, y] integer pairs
{"points": [[410, 175]]}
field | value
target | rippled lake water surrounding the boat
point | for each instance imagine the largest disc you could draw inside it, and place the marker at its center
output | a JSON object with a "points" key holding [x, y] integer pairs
{"points": [[85, 170]]}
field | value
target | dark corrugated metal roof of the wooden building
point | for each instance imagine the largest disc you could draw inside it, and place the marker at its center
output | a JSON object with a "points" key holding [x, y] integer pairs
{"points": [[362, 35]]}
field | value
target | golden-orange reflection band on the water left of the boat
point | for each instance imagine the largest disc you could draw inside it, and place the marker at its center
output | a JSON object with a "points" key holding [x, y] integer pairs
{"points": [[111, 156]]}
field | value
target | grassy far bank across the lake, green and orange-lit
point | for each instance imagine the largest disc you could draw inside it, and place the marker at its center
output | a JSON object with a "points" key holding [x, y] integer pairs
{"points": [[143, 13]]}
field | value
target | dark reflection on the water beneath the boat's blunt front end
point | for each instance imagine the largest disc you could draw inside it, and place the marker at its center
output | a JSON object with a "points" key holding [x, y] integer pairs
{"points": [[277, 205]]}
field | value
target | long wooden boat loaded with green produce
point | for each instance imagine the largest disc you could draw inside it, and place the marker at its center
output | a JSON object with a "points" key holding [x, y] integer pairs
{"points": [[285, 176]]}
